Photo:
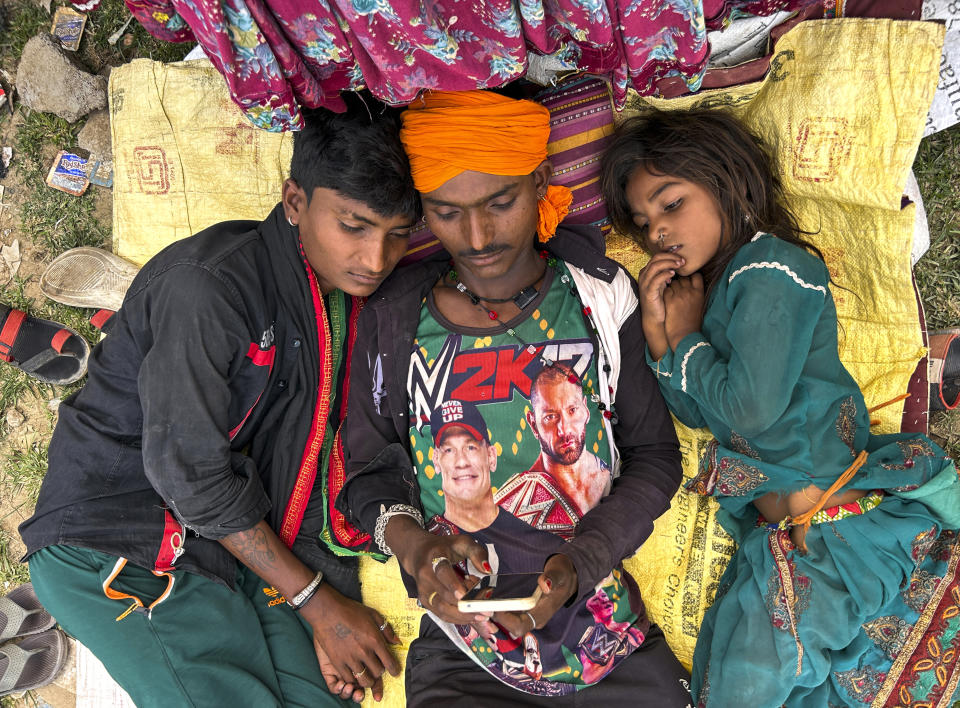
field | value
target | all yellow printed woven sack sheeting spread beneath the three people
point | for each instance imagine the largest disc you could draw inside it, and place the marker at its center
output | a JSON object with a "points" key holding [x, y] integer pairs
{"points": [[844, 103]]}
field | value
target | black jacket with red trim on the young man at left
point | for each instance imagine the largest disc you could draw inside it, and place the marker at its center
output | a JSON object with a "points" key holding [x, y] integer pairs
{"points": [[199, 403]]}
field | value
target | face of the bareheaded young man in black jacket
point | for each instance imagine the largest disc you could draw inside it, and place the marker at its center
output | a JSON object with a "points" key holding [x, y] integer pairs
{"points": [[348, 245]]}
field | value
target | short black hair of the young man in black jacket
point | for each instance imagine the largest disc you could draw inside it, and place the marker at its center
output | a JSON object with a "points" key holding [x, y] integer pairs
{"points": [[358, 154]]}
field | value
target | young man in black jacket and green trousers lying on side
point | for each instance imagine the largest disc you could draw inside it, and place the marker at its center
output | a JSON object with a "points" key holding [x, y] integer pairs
{"points": [[208, 432]]}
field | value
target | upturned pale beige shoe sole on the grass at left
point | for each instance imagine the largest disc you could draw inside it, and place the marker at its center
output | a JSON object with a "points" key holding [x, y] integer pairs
{"points": [[88, 277]]}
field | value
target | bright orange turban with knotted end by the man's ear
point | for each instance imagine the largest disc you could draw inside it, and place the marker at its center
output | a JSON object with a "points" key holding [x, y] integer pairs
{"points": [[448, 132]]}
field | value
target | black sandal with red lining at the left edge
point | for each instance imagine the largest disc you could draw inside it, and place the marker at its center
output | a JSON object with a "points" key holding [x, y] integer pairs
{"points": [[46, 350]]}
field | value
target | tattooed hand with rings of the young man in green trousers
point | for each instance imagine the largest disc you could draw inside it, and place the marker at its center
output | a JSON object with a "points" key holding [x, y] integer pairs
{"points": [[351, 647]]}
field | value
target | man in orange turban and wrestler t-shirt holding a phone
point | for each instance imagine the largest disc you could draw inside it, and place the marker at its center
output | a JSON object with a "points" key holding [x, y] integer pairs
{"points": [[470, 331]]}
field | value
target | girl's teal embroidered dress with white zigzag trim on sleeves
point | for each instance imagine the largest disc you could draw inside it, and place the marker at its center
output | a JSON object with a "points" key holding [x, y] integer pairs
{"points": [[821, 628]]}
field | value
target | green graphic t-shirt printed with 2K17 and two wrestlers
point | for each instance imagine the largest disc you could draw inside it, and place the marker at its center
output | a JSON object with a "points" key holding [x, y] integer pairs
{"points": [[521, 454]]}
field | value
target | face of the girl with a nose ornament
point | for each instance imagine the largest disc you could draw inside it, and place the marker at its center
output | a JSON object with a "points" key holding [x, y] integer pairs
{"points": [[676, 215]]}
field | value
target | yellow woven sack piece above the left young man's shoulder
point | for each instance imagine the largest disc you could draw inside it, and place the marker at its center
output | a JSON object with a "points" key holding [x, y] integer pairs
{"points": [[184, 156]]}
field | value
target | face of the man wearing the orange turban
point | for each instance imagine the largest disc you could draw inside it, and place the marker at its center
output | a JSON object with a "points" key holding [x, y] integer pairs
{"points": [[486, 222]]}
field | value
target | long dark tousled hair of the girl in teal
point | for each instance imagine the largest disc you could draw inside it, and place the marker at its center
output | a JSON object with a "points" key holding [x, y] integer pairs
{"points": [[714, 150]]}
